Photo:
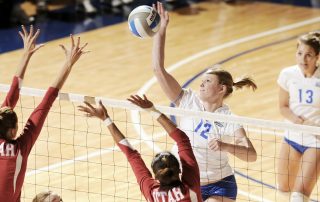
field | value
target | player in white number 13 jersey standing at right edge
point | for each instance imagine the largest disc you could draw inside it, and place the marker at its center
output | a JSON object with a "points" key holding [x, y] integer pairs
{"points": [[299, 102]]}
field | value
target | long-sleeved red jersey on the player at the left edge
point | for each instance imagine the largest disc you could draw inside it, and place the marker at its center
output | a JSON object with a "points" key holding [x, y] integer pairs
{"points": [[14, 154]]}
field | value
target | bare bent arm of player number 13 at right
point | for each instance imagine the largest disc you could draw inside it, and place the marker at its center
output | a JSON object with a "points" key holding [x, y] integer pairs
{"points": [[284, 108]]}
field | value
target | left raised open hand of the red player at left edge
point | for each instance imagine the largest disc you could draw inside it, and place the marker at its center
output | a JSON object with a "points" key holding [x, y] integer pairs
{"points": [[29, 40]]}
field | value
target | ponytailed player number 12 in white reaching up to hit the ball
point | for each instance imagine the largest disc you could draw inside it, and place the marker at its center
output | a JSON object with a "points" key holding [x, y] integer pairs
{"points": [[207, 138]]}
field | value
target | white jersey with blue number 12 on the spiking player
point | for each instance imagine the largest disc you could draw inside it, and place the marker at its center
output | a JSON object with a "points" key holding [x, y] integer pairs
{"points": [[213, 165]]}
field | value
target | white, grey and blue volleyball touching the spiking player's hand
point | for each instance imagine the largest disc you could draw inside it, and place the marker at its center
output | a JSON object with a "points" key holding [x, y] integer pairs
{"points": [[144, 21]]}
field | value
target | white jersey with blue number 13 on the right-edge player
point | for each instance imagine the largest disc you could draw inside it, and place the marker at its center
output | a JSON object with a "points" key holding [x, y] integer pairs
{"points": [[304, 101]]}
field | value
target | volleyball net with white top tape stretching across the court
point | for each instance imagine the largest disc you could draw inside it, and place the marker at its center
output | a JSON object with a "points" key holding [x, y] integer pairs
{"points": [[76, 157]]}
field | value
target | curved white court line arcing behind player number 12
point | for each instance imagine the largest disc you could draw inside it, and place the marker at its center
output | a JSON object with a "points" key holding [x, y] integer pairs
{"points": [[182, 62]]}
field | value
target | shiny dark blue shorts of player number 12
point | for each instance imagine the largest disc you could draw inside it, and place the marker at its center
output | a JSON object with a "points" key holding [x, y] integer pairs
{"points": [[226, 187]]}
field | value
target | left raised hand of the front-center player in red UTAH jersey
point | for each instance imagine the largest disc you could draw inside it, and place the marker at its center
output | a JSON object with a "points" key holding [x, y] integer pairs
{"points": [[99, 112]]}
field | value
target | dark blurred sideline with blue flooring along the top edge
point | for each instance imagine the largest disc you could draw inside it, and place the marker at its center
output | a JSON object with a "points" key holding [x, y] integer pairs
{"points": [[59, 18]]}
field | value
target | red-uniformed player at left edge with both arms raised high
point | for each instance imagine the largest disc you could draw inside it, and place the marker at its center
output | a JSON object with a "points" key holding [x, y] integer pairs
{"points": [[15, 149]]}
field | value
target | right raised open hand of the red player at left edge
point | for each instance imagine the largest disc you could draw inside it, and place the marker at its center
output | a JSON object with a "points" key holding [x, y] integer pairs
{"points": [[75, 51]]}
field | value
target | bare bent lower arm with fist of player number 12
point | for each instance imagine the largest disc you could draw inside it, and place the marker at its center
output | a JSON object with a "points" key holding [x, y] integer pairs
{"points": [[243, 148]]}
